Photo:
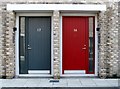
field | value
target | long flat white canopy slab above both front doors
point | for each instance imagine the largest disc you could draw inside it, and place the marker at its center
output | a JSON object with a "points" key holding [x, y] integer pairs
{"points": [[48, 7]]}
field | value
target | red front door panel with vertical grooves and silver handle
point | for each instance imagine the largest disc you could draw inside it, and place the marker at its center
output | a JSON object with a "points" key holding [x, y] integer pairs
{"points": [[75, 43]]}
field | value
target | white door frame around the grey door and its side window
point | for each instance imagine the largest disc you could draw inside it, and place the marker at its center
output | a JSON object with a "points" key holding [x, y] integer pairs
{"points": [[17, 45]]}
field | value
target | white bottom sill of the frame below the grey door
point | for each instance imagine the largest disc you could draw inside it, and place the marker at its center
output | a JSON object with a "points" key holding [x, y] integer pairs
{"points": [[35, 75]]}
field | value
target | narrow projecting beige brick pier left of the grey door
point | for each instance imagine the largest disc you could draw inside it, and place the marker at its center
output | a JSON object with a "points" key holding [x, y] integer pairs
{"points": [[9, 51]]}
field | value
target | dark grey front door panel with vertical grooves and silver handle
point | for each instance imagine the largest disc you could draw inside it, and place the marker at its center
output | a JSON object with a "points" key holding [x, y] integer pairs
{"points": [[38, 43]]}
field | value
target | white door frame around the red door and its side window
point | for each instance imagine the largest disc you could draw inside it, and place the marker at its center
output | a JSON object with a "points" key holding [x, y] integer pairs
{"points": [[96, 44]]}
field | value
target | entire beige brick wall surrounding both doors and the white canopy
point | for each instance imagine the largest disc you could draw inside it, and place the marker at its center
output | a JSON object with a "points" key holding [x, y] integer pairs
{"points": [[108, 46]]}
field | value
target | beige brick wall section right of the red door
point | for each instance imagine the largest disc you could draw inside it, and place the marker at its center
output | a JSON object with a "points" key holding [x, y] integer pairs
{"points": [[108, 56]]}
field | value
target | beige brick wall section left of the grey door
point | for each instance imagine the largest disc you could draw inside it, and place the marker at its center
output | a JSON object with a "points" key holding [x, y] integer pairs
{"points": [[7, 67]]}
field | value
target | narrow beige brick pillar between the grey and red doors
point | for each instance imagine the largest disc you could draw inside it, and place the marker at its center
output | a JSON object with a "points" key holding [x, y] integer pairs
{"points": [[56, 43]]}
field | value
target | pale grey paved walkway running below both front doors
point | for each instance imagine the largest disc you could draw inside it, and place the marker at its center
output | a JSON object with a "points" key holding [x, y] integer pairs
{"points": [[63, 82]]}
